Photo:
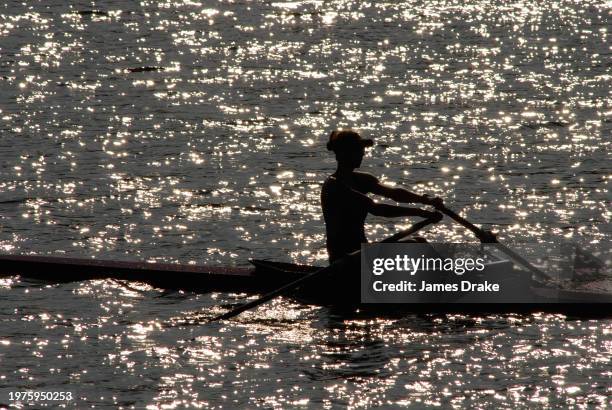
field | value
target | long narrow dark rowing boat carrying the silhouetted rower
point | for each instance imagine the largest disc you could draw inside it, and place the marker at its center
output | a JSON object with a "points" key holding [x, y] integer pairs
{"points": [[264, 276]]}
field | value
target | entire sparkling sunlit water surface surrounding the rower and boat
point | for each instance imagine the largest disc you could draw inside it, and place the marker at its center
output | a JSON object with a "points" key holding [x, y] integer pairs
{"points": [[181, 131]]}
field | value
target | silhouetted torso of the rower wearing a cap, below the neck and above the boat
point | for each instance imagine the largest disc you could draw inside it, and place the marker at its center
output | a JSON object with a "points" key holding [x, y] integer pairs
{"points": [[344, 214]]}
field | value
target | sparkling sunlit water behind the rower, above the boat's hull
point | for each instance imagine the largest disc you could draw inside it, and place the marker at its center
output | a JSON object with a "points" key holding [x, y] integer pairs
{"points": [[137, 128]]}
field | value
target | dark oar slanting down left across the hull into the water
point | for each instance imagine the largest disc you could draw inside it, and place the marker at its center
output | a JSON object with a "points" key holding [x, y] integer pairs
{"points": [[296, 283]]}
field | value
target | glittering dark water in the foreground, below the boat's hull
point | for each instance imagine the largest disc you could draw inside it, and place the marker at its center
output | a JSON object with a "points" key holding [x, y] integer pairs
{"points": [[143, 348]]}
